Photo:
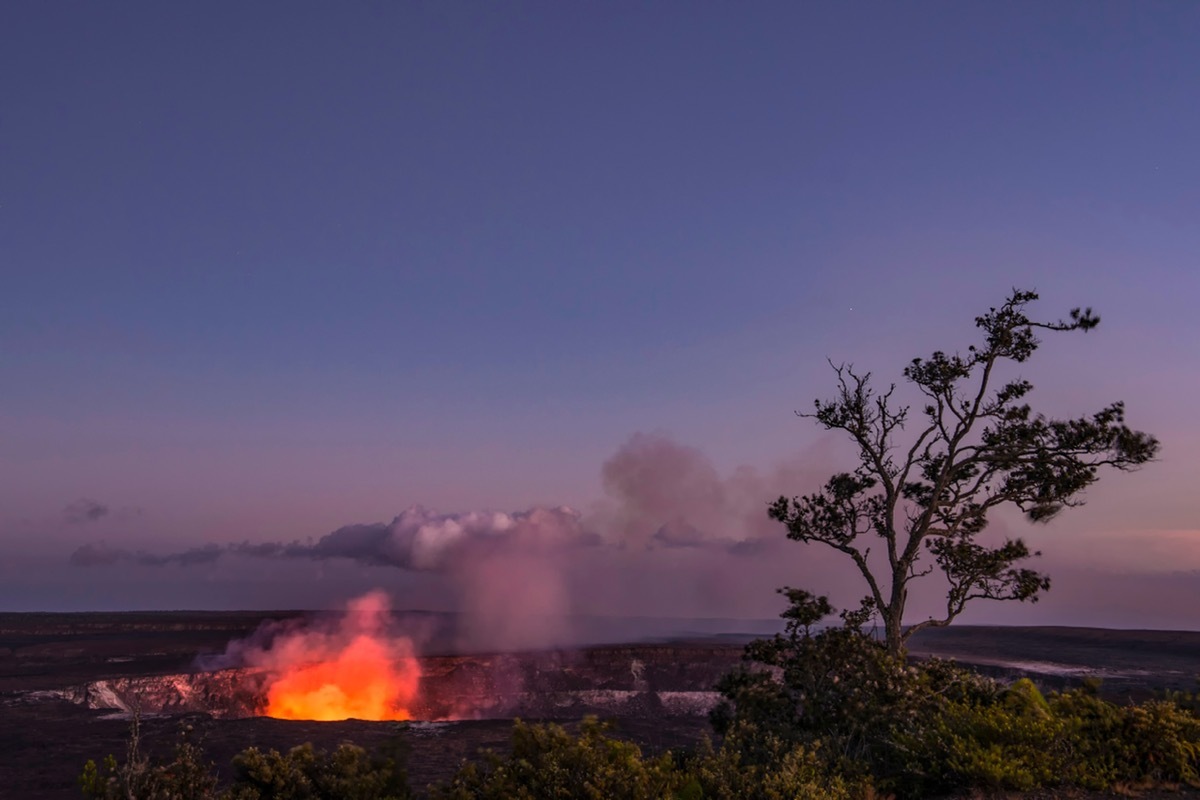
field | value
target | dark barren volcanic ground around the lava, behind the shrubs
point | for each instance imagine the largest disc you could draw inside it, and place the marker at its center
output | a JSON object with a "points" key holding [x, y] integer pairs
{"points": [[68, 683]]}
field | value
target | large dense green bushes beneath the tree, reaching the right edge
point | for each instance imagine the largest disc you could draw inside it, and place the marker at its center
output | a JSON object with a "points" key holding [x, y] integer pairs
{"points": [[841, 697]]}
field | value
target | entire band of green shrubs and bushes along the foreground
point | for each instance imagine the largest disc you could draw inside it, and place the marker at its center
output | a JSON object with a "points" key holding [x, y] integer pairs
{"points": [[826, 714]]}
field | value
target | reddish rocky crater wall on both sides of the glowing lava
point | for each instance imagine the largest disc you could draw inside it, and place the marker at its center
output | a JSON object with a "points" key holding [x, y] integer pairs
{"points": [[625, 682]]}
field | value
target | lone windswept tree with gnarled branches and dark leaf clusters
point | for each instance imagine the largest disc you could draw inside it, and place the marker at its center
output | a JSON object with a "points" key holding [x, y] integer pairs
{"points": [[979, 447]]}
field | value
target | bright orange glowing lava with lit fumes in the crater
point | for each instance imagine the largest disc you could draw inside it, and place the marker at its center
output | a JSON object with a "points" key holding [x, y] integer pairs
{"points": [[357, 671]]}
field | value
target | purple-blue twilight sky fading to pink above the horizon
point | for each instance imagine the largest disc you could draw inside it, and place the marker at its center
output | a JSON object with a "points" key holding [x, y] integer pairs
{"points": [[273, 269]]}
